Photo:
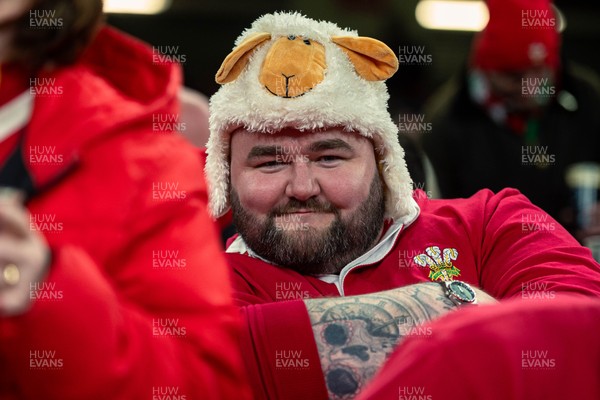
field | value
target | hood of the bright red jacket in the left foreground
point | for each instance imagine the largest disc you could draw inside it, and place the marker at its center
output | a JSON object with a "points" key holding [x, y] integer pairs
{"points": [[114, 87]]}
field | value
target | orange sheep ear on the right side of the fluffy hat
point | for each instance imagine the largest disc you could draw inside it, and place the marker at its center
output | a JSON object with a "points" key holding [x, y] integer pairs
{"points": [[372, 59]]}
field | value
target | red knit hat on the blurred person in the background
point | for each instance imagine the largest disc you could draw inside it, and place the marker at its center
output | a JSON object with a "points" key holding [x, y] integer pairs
{"points": [[520, 34]]}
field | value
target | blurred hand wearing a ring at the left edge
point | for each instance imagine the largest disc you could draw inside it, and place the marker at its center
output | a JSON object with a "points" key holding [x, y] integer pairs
{"points": [[24, 255]]}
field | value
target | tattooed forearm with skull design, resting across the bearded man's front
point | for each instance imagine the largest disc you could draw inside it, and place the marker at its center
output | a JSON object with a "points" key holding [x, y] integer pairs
{"points": [[355, 335]]}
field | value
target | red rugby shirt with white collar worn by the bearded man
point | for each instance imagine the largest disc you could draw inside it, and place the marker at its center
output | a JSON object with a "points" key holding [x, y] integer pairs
{"points": [[503, 244]]}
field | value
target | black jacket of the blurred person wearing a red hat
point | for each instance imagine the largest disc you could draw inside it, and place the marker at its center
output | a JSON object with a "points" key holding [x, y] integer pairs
{"points": [[469, 151]]}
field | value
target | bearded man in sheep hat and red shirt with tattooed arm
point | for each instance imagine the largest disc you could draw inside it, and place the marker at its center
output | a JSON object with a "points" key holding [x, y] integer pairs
{"points": [[337, 259]]}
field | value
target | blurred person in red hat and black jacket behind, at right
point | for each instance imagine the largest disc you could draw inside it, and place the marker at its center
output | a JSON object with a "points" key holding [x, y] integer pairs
{"points": [[518, 116]]}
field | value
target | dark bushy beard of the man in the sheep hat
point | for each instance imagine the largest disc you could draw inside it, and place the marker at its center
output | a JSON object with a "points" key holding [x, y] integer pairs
{"points": [[305, 249]]}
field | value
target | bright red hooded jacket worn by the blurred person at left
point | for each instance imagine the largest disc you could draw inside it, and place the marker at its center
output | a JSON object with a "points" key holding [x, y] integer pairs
{"points": [[137, 303]]}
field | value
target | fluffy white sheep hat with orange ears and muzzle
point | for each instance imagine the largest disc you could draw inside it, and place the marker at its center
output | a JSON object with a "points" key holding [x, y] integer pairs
{"points": [[287, 70]]}
